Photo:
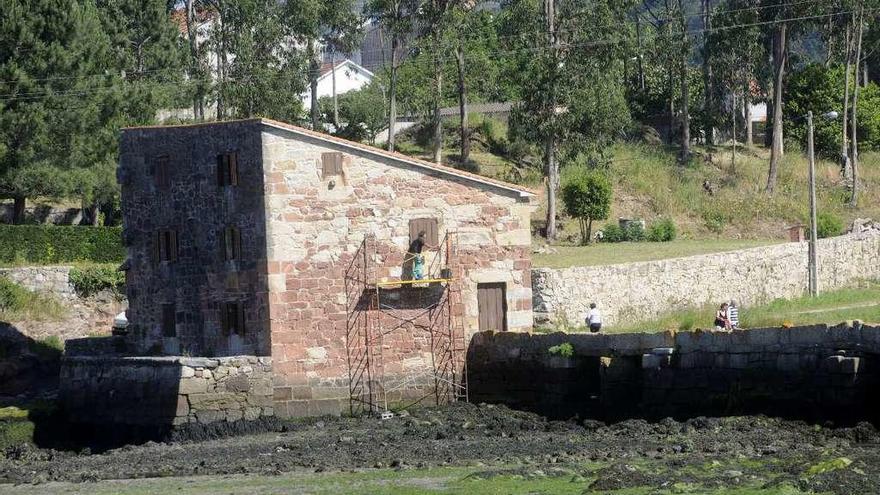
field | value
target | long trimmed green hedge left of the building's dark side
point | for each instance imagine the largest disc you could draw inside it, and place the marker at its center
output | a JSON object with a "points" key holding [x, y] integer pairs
{"points": [[47, 244]]}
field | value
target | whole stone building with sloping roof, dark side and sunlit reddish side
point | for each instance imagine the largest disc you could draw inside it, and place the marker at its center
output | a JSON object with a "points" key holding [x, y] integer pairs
{"points": [[246, 237]]}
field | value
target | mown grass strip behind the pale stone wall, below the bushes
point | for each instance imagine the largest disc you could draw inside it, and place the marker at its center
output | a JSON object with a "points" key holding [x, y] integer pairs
{"points": [[626, 252]]}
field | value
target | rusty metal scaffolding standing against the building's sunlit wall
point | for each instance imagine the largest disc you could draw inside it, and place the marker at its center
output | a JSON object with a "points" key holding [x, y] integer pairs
{"points": [[379, 309]]}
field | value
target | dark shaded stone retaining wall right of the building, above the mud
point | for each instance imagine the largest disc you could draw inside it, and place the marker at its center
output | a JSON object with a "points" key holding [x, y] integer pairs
{"points": [[815, 372]]}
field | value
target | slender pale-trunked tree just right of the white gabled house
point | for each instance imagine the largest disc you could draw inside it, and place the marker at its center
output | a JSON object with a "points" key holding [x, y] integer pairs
{"points": [[395, 17]]}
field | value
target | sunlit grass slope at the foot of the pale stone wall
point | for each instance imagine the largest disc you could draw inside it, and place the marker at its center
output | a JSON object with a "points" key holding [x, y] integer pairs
{"points": [[858, 303]]}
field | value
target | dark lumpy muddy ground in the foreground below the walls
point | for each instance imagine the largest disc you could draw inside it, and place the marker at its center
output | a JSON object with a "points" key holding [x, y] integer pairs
{"points": [[490, 443]]}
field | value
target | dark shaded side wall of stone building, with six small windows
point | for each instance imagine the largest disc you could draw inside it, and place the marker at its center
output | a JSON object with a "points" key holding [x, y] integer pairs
{"points": [[201, 280]]}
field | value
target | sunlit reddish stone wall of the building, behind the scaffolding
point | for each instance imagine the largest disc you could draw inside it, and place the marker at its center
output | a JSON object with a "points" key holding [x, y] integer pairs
{"points": [[317, 224]]}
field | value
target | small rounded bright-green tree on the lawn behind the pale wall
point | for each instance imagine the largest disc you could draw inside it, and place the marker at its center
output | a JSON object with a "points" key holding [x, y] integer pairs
{"points": [[587, 197]]}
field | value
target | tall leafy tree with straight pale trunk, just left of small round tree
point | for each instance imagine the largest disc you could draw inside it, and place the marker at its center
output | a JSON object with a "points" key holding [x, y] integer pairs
{"points": [[559, 59]]}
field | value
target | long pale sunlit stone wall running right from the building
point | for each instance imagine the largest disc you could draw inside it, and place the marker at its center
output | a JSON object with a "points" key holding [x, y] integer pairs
{"points": [[751, 276]]}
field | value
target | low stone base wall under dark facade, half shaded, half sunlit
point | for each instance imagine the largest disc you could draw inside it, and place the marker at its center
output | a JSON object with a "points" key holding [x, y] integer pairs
{"points": [[165, 391]]}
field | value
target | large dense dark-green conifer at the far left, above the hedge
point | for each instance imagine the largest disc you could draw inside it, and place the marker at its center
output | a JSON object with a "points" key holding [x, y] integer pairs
{"points": [[60, 106]]}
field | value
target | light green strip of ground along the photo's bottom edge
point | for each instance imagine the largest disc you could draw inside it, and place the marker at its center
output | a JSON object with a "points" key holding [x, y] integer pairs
{"points": [[449, 481]]}
